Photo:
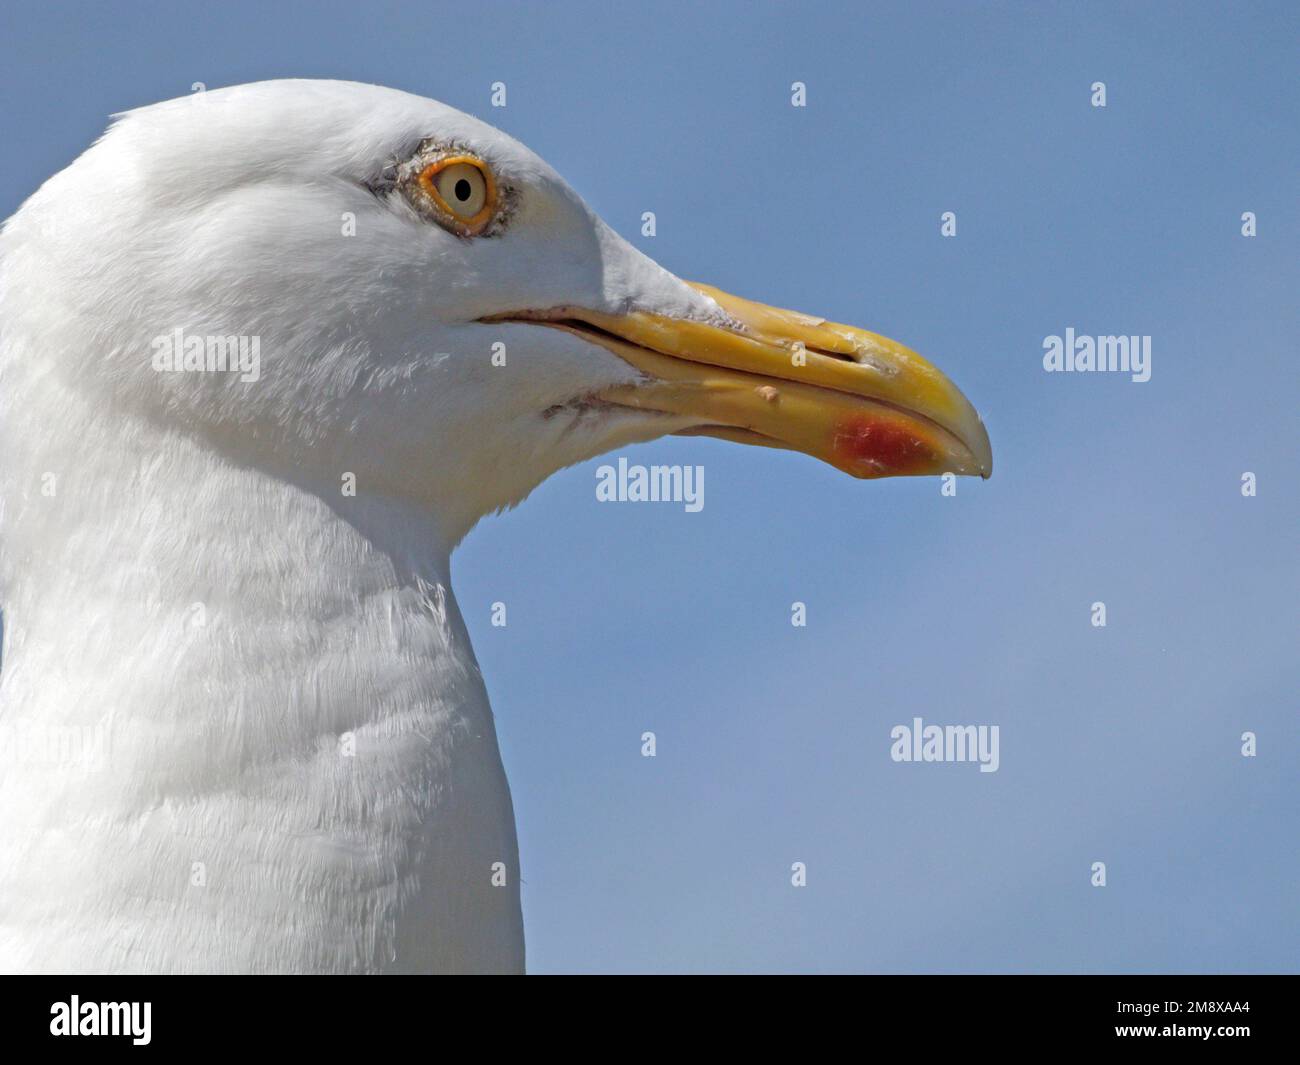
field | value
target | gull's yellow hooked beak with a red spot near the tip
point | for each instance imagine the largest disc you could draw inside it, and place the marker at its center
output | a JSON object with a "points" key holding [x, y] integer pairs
{"points": [[859, 401]]}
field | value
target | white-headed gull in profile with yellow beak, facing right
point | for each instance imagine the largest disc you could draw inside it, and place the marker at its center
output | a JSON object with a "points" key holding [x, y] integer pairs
{"points": [[267, 356]]}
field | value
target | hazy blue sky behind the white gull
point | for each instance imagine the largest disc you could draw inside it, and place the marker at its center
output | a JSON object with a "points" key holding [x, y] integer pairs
{"points": [[1119, 744]]}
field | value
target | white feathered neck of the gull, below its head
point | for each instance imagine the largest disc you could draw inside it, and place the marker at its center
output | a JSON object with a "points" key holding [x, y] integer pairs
{"points": [[268, 687]]}
